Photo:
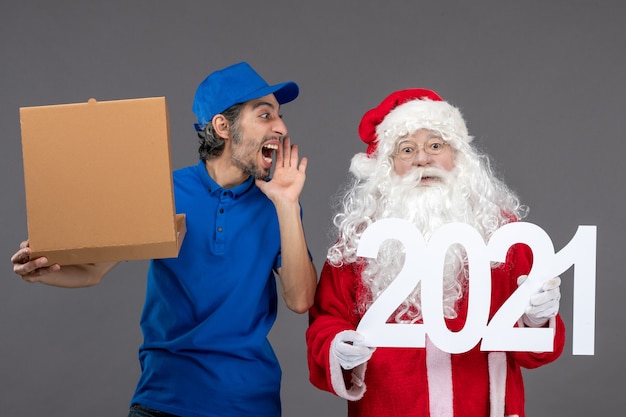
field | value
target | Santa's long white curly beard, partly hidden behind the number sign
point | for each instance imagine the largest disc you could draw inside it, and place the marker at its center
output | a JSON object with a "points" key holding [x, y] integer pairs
{"points": [[428, 207]]}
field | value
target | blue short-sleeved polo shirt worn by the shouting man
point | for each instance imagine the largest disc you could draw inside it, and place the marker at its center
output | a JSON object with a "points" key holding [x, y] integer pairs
{"points": [[208, 312]]}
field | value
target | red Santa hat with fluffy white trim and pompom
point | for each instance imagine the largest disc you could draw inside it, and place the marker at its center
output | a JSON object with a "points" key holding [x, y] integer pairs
{"points": [[402, 113]]}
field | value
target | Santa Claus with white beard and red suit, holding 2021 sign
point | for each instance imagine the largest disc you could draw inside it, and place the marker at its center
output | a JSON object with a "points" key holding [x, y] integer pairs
{"points": [[420, 165]]}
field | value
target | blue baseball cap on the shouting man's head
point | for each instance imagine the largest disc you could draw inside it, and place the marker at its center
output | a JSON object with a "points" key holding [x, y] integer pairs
{"points": [[232, 85]]}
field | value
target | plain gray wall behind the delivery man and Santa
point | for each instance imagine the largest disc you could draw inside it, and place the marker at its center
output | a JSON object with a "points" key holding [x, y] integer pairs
{"points": [[541, 85]]}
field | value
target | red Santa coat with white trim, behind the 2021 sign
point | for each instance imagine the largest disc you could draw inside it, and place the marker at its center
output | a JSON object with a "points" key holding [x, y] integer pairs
{"points": [[421, 381]]}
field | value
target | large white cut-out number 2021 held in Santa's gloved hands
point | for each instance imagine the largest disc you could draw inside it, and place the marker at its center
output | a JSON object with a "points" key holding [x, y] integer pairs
{"points": [[424, 263]]}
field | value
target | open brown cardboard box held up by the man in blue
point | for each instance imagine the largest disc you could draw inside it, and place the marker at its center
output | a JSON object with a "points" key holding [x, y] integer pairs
{"points": [[98, 181]]}
